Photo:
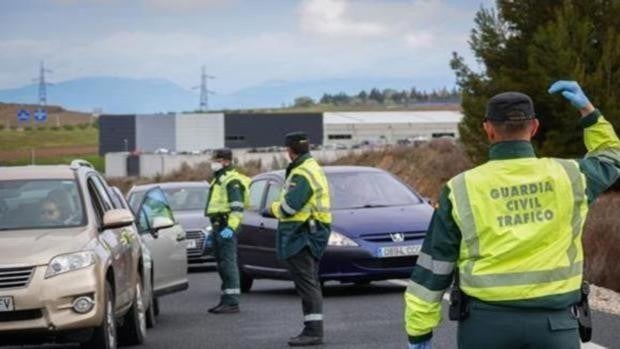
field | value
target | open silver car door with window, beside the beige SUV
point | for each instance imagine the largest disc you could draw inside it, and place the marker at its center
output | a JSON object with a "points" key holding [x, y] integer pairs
{"points": [[168, 246]]}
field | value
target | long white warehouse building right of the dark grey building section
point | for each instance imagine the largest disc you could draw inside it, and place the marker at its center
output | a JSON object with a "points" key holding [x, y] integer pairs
{"points": [[390, 127]]}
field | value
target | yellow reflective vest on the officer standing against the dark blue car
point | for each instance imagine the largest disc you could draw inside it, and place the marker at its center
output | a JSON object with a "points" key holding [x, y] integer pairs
{"points": [[318, 206]]}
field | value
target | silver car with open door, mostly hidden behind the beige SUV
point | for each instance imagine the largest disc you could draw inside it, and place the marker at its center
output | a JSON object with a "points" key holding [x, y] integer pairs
{"points": [[166, 242]]}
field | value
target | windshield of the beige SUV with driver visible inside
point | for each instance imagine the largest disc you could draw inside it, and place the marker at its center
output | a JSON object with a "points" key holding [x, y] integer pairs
{"points": [[40, 204]]}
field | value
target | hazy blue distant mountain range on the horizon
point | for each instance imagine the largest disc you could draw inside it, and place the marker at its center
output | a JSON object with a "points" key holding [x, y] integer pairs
{"points": [[123, 95]]}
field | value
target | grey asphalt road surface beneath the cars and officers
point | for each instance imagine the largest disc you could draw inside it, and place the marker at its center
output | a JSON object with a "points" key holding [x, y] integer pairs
{"points": [[356, 317]]}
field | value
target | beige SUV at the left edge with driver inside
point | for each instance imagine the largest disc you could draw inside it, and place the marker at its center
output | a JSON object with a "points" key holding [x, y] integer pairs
{"points": [[72, 267]]}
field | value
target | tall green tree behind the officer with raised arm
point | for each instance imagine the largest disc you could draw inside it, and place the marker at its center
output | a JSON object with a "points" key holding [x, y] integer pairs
{"points": [[526, 45]]}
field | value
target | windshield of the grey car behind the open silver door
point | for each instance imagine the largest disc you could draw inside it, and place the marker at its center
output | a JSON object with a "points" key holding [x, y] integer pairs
{"points": [[180, 199]]}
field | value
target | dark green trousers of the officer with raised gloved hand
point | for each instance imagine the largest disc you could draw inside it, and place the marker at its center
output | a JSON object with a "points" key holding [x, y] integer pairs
{"points": [[496, 327]]}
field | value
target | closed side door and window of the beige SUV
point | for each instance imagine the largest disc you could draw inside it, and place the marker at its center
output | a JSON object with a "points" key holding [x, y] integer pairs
{"points": [[120, 249]]}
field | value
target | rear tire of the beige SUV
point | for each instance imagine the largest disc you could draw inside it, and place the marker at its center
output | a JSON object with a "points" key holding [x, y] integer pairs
{"points": [[134, 326]]}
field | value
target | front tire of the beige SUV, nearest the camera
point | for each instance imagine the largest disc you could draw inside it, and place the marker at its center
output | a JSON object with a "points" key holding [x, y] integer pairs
{"points": [[105, 336]]}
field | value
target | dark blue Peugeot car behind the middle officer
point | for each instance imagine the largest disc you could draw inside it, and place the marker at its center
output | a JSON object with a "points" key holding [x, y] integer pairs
{"points": [[377, 231]]}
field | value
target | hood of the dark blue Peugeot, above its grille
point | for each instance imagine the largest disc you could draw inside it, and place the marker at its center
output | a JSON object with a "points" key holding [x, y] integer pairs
{"points": [[356, 222]]}
